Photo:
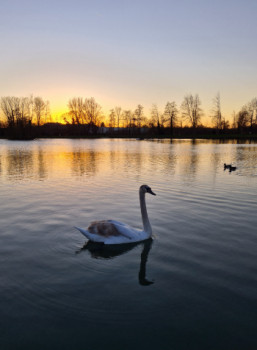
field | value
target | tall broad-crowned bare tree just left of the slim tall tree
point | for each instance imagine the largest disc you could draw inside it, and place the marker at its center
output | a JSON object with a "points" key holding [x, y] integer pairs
{"points": [[191, 110]]}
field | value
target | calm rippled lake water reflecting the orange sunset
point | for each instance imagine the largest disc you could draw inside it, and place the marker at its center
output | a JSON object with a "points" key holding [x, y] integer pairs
{"points": [[193, 287]]}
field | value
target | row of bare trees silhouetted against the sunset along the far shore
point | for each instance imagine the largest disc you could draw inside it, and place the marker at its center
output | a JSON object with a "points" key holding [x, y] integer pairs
{"points": [[19, 115]]}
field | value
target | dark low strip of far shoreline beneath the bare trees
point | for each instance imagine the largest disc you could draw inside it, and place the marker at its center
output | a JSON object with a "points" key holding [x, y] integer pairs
{"points": [[84, 131]]}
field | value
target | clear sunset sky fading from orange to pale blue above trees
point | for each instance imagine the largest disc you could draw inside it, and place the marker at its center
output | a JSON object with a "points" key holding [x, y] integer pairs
{"points": [[124, 53]]}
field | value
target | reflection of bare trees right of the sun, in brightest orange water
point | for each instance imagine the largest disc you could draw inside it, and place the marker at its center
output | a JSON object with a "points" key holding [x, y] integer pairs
{"points": [[84, 163]]}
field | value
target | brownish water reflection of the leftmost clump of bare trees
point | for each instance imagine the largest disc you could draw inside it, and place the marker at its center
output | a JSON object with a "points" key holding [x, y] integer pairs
{"points": [[20, 164]]}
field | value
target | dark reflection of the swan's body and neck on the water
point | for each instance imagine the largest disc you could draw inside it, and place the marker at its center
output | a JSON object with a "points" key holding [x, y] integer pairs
{"points": [[102, 251]]}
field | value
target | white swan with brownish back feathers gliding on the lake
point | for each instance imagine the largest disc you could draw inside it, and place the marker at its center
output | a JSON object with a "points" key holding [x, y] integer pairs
{"points": [[115, 232]]}
